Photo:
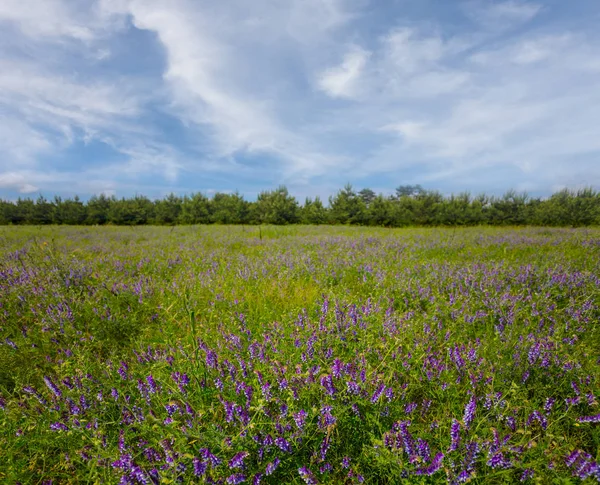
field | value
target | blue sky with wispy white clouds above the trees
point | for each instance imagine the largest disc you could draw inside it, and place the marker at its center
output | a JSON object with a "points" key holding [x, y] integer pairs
{"points": [[150, 97]]}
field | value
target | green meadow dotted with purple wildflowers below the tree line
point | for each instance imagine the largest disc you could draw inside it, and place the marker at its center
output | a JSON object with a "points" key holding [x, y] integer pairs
{"points": [[299, 355]]}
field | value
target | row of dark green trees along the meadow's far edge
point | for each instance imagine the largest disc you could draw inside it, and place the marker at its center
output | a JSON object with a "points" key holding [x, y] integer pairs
{"points": [[410, 205]]}
